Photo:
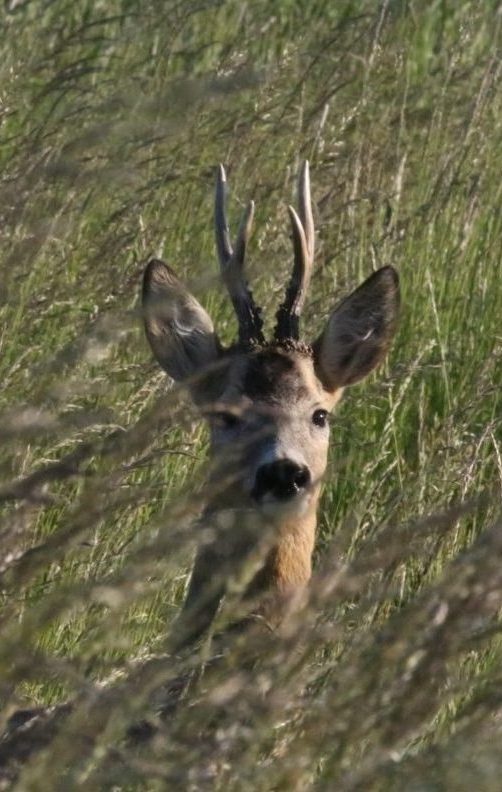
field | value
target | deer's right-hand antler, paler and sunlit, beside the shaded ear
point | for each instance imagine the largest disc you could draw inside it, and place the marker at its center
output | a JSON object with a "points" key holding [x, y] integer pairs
{"points": [[302, 226]]}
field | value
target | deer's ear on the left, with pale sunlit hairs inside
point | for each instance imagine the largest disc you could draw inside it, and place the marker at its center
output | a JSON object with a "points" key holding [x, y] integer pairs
{"points": [[178, 328]]}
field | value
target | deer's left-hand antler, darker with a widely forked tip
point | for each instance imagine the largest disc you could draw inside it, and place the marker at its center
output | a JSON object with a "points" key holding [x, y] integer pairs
{"points": [[232, 265]]}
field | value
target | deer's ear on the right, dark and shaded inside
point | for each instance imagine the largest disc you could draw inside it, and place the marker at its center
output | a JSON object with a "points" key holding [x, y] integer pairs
{"points": [[359, 331]]}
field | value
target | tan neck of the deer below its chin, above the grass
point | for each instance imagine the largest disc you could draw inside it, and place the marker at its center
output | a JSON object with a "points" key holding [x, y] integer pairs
{"points": [[279, 555]]}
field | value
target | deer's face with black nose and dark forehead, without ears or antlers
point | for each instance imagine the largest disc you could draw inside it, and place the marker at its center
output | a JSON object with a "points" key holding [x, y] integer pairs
{"points": [[270, 429]]}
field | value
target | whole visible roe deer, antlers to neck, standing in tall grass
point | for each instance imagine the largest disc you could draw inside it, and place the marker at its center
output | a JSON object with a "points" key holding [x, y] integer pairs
{"points": [[267, 403]]}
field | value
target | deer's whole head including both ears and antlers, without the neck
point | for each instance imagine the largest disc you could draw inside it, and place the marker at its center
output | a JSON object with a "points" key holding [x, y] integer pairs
{"points": [[267, 402]]}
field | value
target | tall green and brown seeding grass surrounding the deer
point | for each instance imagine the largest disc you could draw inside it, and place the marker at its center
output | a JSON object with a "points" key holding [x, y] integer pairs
{"points": [[113, 117]]}
